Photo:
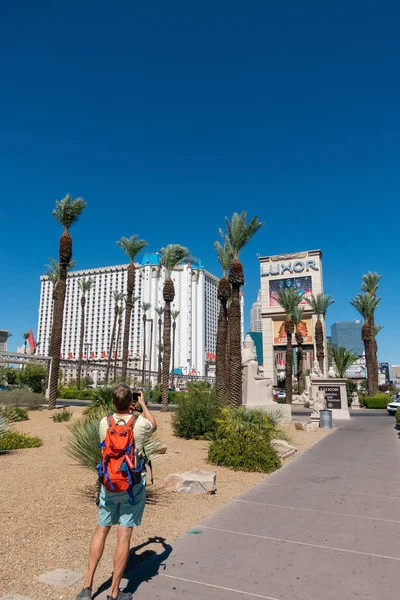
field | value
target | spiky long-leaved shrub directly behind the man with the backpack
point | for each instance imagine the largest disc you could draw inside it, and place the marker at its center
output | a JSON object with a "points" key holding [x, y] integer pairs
{"points": [[83, 443]]}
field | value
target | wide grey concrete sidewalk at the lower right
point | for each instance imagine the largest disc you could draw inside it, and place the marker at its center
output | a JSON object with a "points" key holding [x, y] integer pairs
{"points": [[326, 527]]}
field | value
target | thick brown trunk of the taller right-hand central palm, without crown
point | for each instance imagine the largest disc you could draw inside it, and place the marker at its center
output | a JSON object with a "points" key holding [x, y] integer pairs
{"points": [[235, 350]]}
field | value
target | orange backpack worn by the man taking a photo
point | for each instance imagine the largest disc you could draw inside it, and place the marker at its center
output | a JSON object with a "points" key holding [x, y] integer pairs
{"points": [[116, 468]]}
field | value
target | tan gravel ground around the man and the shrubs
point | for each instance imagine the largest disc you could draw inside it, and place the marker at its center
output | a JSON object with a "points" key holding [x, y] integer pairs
{"points": [[48, 510]]}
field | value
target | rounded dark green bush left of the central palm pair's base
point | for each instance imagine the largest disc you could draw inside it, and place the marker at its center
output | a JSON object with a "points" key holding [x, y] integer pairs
{"points": [[195, 417]]}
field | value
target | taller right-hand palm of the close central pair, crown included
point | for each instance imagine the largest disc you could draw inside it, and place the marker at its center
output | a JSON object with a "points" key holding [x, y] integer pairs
{"points": [[238, 234]]}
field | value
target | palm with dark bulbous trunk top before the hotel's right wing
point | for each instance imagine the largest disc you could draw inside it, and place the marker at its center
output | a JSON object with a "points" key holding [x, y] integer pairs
{"points": [[171, 256]]}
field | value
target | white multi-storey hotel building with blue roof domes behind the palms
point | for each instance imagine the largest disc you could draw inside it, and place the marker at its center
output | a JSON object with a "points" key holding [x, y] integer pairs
{"points": [[195, 298]]}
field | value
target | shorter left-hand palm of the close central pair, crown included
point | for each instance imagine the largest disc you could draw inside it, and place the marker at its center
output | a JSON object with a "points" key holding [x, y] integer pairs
{"points": [[225, 258]]}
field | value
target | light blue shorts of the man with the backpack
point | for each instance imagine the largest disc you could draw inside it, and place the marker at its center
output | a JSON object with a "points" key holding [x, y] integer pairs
{"points": [[117, 508]]}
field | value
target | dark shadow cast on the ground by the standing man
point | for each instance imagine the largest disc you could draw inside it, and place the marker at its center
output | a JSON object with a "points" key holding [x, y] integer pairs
{"points": [[141, 567]]}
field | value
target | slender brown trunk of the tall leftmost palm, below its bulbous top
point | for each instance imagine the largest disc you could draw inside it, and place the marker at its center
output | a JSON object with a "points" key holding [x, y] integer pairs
{"points": [[57, 337]]}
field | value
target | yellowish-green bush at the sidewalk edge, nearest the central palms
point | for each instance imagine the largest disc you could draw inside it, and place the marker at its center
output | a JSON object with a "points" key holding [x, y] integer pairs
{"points": [[242, 441]]}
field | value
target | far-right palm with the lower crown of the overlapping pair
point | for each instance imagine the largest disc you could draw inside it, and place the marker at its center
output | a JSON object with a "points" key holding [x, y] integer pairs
{"points": [[366, 305]]}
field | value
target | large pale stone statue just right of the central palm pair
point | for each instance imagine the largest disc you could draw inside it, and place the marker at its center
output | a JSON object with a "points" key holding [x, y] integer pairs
{"points": [[257, 390]]}
